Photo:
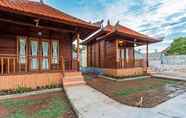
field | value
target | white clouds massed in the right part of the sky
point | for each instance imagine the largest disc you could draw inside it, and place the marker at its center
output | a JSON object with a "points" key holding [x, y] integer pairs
{"points": [[155, 15]]}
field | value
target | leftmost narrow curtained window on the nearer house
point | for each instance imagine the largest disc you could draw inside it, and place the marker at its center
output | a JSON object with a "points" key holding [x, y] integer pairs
{"points": [[22, 50]]}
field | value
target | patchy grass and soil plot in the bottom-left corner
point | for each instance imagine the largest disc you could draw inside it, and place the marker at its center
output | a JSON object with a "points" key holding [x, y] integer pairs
{"points": [[53, 105]]}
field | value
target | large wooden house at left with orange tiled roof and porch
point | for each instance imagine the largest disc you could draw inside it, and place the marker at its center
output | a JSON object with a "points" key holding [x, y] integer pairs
{"points": [[36, 44]]}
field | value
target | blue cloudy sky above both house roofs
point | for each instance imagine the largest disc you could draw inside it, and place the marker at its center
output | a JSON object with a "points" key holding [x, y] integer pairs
{"points": [[156, 18]]}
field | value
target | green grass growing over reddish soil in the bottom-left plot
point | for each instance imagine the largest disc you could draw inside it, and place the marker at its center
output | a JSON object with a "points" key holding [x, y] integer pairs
{"points": [[57, 106]]}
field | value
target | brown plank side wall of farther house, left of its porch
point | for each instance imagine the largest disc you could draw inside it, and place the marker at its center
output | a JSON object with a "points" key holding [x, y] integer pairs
{"points": [[101, 54]]}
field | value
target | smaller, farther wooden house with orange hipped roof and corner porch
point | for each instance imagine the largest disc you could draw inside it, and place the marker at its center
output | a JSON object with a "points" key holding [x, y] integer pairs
{"points": [[112, 48]]}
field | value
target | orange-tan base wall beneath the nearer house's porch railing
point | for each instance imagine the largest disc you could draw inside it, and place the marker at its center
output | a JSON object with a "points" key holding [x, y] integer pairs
{"points": [[33, 80]]}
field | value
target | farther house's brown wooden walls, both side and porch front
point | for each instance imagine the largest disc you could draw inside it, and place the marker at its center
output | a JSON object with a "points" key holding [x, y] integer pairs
{"points": [[104, 54]]}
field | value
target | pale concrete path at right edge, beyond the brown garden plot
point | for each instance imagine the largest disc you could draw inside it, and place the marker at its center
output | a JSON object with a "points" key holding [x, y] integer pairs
{"points": [[171, 75]]}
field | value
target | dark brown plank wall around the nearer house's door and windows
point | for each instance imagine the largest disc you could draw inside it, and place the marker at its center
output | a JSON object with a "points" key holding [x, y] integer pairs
{"points": [[8, 39]]}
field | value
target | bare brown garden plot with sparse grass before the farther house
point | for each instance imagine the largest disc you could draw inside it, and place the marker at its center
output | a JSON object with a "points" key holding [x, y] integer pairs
{"points": [[153, 91]]}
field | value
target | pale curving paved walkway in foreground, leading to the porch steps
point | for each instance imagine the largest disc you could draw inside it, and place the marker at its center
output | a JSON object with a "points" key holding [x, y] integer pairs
{"points": [[90, 103]]}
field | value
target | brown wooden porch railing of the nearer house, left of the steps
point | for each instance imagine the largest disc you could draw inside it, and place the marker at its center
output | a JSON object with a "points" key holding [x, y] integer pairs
{"points": [[9, 64]]}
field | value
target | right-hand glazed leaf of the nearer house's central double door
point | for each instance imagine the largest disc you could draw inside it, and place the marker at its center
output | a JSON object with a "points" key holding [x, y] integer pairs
{"points": [[45, 55]]}
